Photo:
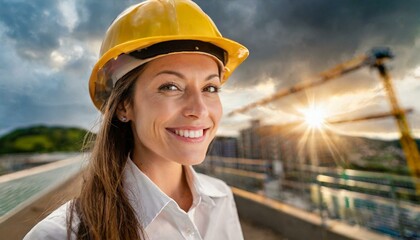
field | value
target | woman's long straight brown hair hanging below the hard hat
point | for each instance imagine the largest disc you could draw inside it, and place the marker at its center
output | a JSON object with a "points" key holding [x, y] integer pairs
{"points": [[102, 206]]}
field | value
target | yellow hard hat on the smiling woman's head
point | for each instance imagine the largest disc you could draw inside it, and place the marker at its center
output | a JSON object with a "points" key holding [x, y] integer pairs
{"points": [[155, 22]]}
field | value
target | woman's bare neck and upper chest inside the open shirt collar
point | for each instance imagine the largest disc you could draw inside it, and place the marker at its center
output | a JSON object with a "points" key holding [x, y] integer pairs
{"points": [[169, 176]]}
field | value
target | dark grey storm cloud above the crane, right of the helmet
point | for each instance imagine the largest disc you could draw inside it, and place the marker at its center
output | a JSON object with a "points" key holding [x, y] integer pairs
{"points": [[286, 37]]}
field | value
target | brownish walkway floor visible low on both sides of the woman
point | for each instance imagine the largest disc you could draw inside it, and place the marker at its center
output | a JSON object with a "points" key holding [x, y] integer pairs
{"points": [[19, 224]]}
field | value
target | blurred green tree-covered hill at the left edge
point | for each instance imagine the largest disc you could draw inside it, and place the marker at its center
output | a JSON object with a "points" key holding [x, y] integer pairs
{"points": [[42, 139]]}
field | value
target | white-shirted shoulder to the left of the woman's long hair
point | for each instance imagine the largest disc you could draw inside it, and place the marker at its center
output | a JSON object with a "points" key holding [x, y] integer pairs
{"points": [[54, 226]]}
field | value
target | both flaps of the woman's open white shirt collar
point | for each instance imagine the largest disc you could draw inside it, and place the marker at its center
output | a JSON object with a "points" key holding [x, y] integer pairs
{"points": [[148, 201]]}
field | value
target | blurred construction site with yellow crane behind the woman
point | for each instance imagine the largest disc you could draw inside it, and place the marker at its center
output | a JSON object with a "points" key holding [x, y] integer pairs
{"points": [[298, 175]]}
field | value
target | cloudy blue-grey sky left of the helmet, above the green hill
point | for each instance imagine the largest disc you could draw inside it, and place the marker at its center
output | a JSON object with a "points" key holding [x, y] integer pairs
{"points": [[31, 90]]}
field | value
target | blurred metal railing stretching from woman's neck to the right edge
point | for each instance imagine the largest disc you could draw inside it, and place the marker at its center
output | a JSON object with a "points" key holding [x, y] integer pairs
{"points": [[385, 203]]}
